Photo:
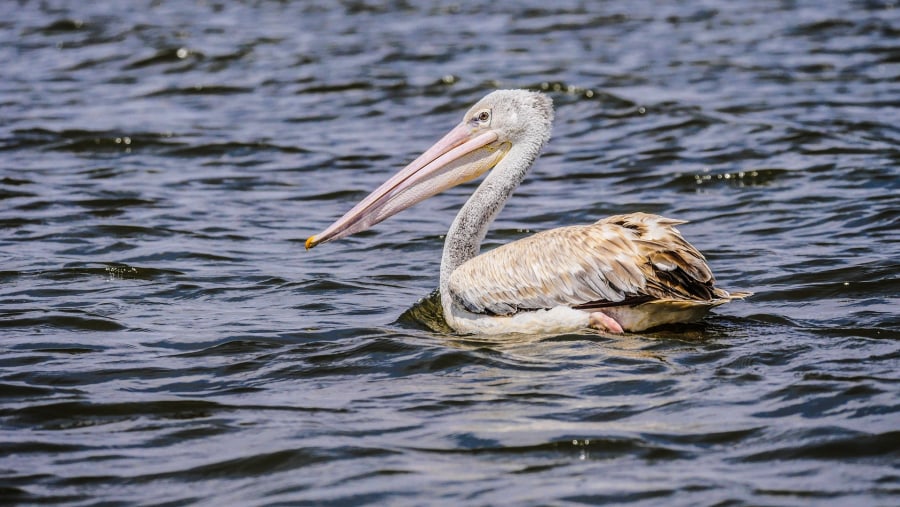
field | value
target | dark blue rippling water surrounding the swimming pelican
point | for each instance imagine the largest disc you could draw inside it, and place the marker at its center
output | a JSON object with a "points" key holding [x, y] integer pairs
{"points": [[166, 339]]}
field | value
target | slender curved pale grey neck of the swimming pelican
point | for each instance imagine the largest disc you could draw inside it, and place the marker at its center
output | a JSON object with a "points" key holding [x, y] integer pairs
{"points": [[464, 238]]}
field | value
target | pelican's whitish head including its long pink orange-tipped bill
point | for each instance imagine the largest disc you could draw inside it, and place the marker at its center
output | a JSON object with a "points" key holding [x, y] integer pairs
{"points": [[502, 121]]}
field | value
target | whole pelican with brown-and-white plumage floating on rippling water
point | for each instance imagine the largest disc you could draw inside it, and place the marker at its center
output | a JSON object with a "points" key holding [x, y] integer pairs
{"points": [[623, 273]]}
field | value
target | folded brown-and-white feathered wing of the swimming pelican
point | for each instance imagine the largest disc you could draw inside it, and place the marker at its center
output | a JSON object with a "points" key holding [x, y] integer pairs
{"points": [[624, 259]]}
